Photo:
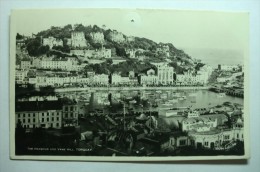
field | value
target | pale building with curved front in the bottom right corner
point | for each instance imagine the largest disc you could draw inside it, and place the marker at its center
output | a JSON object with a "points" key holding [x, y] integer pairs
{"points": [[216, 139]]}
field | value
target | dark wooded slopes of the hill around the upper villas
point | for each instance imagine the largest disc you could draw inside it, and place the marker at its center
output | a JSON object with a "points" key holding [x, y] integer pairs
{"points": [[143, 47]]}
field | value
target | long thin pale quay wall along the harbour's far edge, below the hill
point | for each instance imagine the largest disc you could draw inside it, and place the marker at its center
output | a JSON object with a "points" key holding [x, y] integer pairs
{"points": [[58, 90]]}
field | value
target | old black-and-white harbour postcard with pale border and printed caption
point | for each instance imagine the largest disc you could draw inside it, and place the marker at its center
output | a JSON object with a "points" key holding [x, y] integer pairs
{"points": [[128, 84]]}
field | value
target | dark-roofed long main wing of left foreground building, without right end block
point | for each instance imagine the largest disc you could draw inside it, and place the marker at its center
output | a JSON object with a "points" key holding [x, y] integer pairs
{"points": [[35, 114]]}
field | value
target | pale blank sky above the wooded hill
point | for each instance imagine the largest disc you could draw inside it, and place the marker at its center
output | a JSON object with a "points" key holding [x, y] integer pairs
{"points": [[211, 36]]}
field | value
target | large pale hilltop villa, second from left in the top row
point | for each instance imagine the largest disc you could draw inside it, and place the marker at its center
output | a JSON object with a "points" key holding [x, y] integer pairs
{"points": [[77, 40]]}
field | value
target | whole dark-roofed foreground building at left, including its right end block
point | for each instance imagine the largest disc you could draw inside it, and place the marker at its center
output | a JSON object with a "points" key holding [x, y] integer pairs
{"points": [[46, 114]]}
